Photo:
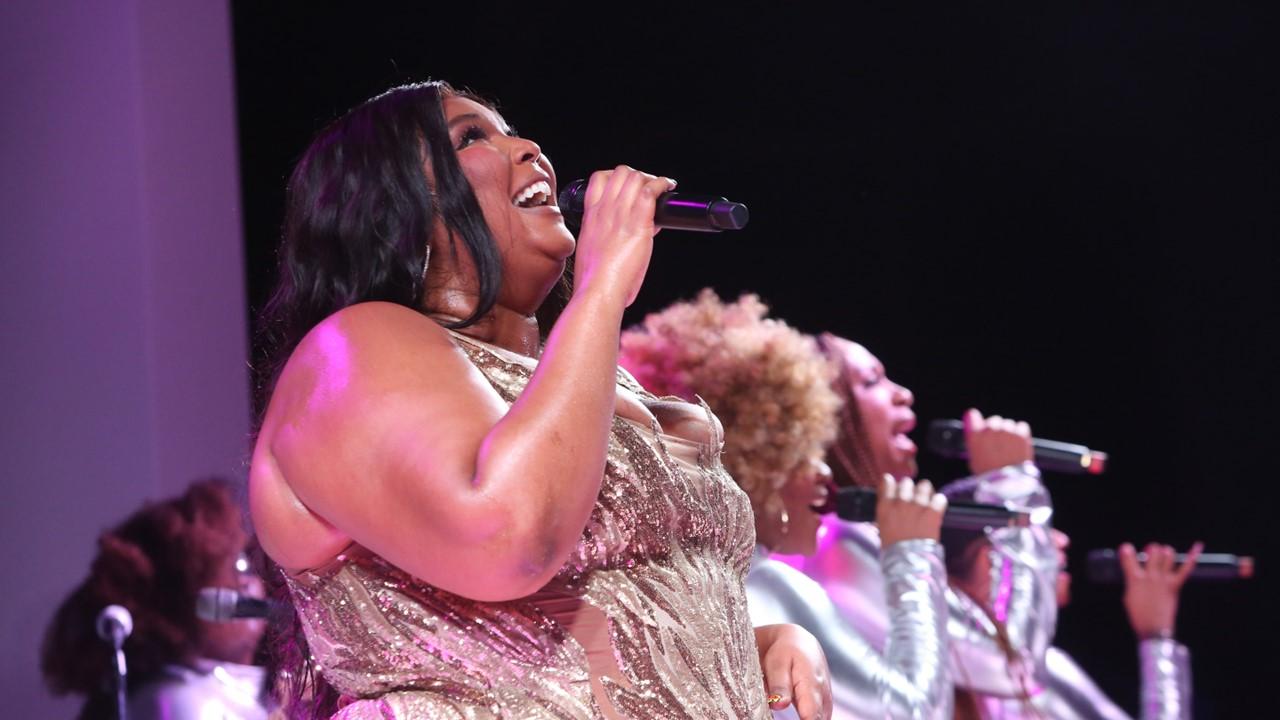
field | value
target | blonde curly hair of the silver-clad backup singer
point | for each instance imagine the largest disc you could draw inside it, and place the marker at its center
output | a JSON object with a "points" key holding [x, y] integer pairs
{"points": [[767, 382]]}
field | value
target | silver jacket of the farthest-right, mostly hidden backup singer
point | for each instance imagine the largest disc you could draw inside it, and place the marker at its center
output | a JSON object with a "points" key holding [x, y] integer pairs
{"points": [[1072, 695]]}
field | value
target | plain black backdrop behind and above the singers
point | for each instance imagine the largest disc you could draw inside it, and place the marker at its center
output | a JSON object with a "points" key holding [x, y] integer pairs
{"points": [[1059, 216]]}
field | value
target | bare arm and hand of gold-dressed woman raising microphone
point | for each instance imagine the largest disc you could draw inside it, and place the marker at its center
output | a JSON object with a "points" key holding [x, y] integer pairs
{"points": [[382, 432]]}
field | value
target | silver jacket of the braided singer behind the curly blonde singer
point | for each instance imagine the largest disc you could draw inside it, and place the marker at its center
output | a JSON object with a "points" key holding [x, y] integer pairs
{"points": [[1025, 564]]}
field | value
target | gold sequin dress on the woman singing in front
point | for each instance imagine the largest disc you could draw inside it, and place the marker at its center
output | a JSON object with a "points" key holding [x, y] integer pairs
{"points": [[646, 621]]}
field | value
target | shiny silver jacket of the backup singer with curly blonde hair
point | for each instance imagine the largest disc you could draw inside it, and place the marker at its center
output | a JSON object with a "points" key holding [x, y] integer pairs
{"points": [[909, 680]]}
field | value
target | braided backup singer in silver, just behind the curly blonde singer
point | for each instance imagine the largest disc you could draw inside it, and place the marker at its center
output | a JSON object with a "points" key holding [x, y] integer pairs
{"points": [[998, 654]]}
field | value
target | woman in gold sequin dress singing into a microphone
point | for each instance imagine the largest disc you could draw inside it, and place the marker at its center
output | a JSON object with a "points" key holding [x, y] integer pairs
{"points": [[478, 517]]}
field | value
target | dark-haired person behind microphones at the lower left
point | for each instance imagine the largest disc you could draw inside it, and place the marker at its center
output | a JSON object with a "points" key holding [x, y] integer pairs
{"points": [[180, 667]]}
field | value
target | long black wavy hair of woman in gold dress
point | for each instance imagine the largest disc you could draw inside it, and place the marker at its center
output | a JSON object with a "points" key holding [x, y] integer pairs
{"points": [[359, 218]]}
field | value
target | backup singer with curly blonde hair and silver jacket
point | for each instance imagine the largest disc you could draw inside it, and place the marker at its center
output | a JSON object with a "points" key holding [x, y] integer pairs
{"points": [[772, 390]]}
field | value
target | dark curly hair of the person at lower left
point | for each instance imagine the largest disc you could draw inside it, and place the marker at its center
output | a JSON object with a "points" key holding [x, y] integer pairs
{"points": [[153, 564]]}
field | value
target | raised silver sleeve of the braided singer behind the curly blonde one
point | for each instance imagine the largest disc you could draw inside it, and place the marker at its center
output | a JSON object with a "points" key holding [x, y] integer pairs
{"points": [[1025, 571]]}
